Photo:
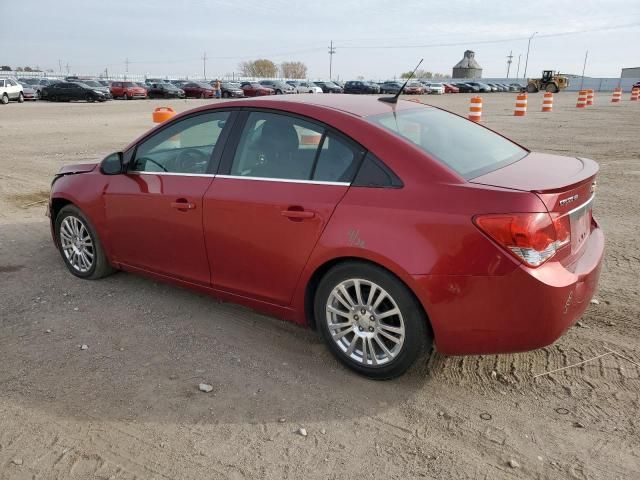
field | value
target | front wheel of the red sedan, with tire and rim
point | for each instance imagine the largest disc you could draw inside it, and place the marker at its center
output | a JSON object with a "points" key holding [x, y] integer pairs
{"points": [[79, 245]]}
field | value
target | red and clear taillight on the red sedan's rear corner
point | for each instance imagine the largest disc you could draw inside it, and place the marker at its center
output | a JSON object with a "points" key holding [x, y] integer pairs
{"points": [[532, 238]]}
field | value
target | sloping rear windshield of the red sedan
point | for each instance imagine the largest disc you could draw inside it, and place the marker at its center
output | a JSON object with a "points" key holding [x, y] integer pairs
{"points": [[463, 146]]}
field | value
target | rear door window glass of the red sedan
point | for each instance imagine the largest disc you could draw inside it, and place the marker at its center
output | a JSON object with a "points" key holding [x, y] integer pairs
{"points": [[289, 148]]}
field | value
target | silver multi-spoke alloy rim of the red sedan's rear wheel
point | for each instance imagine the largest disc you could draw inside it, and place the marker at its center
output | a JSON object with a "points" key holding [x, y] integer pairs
{"points": [[365, 322]]}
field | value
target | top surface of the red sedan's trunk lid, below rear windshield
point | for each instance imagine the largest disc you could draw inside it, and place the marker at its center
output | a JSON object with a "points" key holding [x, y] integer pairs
{"points": [[540, 172]]}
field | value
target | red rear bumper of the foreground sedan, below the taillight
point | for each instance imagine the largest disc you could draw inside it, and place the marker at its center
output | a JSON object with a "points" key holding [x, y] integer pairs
{"points": [[524, 310]]}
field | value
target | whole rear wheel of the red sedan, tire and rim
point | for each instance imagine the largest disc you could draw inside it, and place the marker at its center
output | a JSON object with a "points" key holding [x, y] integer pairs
{"points": [[370, 320]]}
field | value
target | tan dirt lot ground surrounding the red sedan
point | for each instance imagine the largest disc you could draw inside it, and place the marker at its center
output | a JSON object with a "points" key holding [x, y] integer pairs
{"points": [[129, 406]]}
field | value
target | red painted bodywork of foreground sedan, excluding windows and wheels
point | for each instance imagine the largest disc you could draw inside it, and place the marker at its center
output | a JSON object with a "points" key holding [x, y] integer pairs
{"points": [[236, 243]]}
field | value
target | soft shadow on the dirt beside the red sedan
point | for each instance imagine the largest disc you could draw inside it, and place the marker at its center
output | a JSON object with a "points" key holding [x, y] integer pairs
{"points": [[149, 346]]}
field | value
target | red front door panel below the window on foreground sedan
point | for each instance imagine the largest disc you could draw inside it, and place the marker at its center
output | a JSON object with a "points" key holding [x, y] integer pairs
{"points": [[147, 232]]}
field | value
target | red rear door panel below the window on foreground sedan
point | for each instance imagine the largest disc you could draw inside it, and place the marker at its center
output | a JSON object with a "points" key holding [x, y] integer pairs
{"points": [[254, 249]]}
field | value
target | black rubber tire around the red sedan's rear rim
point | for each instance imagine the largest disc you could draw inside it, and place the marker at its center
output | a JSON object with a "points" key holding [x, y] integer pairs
{"points": [[418, 339]]}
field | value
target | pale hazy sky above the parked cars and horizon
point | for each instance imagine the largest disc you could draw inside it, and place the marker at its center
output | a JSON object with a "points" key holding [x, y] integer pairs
{"points": [[375, 39]]}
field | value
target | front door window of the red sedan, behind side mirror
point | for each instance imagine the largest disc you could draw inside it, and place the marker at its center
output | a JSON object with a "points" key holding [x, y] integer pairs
{"points": [[184, 147]]}
